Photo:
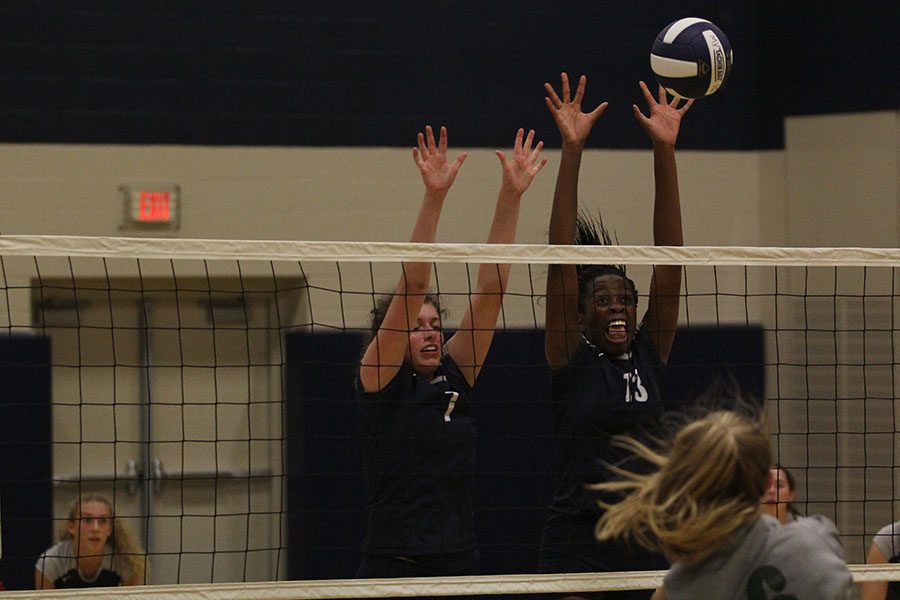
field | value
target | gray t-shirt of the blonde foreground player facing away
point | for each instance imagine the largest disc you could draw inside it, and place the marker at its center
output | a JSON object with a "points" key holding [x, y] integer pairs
{"points": [[802, 560]]}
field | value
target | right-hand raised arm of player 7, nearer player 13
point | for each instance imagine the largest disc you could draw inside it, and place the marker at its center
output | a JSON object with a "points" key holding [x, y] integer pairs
{"points": [[470, 345]]}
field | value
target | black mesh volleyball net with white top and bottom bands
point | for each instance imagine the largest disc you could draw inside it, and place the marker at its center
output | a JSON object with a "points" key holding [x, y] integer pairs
{"points": [[206, 388]]}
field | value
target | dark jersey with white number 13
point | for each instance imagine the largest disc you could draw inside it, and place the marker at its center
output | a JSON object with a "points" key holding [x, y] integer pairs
{"points": [[594, 398]]}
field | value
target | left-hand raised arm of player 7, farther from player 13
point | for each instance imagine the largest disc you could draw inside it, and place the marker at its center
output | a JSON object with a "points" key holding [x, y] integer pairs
{"points": [[384, 355]]}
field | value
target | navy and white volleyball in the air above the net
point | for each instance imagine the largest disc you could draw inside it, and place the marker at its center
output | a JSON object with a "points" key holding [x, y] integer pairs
{"points": [[691, 58]]}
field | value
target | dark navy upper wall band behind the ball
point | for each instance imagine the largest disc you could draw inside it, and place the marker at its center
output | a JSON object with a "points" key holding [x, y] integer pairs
{"points": [[356, 72]]}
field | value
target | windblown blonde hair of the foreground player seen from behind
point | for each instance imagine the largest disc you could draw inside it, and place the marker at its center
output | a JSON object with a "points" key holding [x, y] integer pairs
{"points": [[708, 486]]}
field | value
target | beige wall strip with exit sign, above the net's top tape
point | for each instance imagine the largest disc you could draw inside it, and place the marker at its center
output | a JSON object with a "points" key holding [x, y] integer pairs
{"points": [[836, 183]]}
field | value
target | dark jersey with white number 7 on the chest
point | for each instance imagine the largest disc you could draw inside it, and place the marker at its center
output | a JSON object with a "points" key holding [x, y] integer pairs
{"points": [[418, 442]]}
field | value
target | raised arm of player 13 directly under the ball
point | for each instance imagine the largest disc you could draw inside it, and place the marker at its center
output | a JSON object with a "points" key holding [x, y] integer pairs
{"points": [[662, 125]]}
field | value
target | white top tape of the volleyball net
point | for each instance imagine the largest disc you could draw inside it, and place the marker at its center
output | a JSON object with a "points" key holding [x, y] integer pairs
{"points": [[168, 248]]}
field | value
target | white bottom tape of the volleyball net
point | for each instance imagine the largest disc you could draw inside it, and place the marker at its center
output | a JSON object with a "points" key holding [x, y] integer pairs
{"points": [[417, 586]]}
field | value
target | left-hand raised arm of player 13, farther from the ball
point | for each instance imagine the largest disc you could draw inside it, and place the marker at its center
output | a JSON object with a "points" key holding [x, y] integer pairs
{"points": [[562, 331]]}
